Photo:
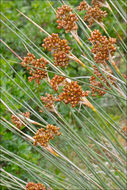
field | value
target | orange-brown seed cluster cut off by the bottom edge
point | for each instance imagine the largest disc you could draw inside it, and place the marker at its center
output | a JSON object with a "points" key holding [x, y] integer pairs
{"points": [[35, 186]]}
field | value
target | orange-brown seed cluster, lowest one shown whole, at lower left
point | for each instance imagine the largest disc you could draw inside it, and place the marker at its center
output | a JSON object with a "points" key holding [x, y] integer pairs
{"points": [[44, 135]]}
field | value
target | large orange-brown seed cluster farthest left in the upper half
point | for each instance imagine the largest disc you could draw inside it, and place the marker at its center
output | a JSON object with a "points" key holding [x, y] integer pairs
{"points": [[32, 65]]}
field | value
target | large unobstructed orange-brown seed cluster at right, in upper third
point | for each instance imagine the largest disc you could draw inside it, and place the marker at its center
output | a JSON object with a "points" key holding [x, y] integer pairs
{"points": [[102, 47]]}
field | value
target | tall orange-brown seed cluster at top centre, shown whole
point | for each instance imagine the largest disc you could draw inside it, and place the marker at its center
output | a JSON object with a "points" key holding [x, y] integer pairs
{"points": [[66, 19]]}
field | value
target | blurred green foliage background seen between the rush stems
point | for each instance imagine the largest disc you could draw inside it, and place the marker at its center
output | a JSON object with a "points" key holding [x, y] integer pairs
{"points": [[41, 13]]}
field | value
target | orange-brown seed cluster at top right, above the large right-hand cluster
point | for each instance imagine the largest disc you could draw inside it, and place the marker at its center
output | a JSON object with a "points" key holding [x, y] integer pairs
{"points": [[94, 14]]}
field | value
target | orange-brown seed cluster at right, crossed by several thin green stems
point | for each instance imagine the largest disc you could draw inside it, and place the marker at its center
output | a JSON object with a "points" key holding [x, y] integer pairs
{"points": [[95, 83]]}
